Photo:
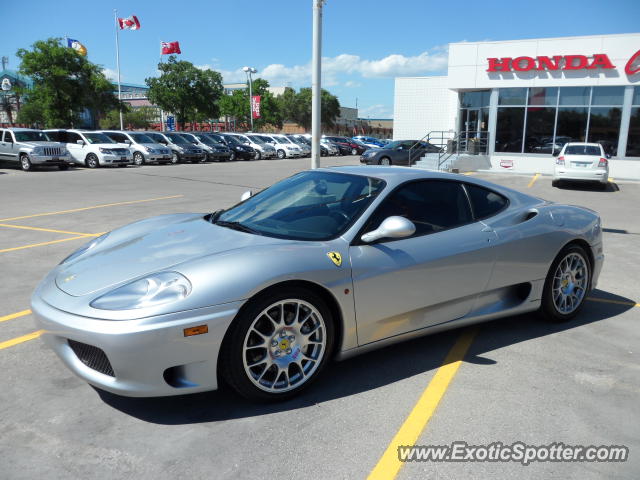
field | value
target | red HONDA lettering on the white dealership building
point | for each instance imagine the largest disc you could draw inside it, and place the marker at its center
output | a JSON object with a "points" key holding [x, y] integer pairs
{"points": [[557, 62]]}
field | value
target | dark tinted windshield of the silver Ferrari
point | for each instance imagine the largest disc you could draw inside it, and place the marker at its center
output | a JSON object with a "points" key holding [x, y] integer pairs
{"points": [[308, 206]]}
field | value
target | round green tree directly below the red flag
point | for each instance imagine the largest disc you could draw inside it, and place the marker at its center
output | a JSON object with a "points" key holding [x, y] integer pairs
{"points": [[186, 91]]}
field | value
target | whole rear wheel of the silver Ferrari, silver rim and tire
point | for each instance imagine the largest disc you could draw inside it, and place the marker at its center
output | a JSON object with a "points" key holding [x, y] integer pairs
{"points": [[566, 285]]}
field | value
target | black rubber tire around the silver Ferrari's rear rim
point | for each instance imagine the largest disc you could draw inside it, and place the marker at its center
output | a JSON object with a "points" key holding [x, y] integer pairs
{"points": [[548, 308]]}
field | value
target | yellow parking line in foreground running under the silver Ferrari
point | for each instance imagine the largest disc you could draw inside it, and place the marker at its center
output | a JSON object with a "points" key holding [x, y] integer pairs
{"points": [[389, 465]]}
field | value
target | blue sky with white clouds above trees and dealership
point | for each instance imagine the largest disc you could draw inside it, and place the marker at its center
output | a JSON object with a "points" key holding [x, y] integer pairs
{"points": [[366, 44]]}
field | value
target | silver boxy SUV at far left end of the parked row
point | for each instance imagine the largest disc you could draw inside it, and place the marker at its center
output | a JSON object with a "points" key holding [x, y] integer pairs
{"points": [[32, 148]]}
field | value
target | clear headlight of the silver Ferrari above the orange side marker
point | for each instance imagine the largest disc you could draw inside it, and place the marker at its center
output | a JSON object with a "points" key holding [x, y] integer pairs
{"points": [[156, 289]]}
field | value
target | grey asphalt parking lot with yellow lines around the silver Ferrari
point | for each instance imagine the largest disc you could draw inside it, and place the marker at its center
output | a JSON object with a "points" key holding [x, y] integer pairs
{"points": [[515, 379]]}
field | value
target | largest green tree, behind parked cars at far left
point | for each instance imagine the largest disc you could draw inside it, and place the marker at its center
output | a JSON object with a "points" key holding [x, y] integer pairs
{"points": [[65, 83]]}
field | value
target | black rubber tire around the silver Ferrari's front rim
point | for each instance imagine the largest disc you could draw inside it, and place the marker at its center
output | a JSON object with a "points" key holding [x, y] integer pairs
{"points": [[231, 356]]}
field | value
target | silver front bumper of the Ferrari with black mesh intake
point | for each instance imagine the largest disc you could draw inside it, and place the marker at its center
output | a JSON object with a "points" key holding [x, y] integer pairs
{"points": [[149, 357]]}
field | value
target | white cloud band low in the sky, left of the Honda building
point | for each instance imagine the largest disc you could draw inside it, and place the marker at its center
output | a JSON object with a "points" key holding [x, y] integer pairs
{"points": [[391, 66]]}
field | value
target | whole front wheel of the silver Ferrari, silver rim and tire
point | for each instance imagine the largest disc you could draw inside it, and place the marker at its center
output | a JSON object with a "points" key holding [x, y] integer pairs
{"points": [[278, 345]]}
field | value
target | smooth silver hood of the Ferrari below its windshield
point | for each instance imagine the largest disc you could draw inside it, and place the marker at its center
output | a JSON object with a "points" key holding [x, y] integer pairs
{"points": [[149, 246]]}
